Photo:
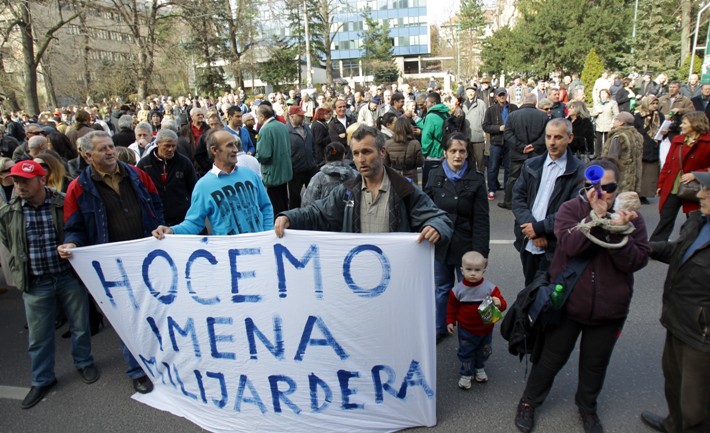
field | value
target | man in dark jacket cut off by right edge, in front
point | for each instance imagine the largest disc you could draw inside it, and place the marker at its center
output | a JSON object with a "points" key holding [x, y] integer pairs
{"points": [[685, 315]]}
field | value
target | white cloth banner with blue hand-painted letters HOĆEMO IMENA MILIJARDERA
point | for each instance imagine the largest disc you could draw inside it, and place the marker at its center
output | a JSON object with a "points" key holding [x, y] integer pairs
{"points": [[326, 332]]}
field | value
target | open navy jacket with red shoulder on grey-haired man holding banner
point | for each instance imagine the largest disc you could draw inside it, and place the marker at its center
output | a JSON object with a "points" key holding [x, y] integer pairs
{"points": [[85, 220]]}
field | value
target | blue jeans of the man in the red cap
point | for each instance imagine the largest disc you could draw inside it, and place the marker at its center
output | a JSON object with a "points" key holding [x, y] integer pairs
{"points": [[41, 310]]}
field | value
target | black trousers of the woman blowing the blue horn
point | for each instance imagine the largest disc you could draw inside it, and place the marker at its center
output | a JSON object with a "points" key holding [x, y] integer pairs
{"points": [[594, 354]]}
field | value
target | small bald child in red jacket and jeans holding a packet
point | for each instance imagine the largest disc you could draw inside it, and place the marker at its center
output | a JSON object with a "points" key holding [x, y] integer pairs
{"points": [[475, 337]]}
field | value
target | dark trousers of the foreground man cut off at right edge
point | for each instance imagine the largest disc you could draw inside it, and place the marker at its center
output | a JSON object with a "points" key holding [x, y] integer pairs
{"points": [[687, 387]]}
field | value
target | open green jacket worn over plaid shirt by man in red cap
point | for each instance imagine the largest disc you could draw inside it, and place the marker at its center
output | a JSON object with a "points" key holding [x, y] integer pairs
{"points": [[13, 236]]}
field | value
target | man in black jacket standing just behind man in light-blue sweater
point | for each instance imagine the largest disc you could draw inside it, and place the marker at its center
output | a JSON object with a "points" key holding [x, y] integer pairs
{"points": [[173, 175]]}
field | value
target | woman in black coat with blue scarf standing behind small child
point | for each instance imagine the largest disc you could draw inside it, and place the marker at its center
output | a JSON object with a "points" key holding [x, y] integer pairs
{"points": [[457, 188]]}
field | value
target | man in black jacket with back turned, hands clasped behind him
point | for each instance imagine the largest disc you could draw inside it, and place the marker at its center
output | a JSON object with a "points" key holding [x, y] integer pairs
{"points": [[524, 136]]}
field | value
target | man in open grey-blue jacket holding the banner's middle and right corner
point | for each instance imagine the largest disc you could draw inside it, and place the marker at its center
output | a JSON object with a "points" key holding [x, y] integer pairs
{"points": [[379, 200]]}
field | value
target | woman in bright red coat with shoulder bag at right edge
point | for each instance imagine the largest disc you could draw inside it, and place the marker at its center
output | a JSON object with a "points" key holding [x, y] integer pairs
{"points": [[691, 150]]}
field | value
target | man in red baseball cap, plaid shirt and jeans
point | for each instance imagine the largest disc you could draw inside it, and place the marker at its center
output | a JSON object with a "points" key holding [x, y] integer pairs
{"points": [[32, 227]]}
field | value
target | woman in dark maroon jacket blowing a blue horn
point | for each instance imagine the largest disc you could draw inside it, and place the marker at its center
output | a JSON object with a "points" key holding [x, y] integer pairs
{"points": [[597, 305]]}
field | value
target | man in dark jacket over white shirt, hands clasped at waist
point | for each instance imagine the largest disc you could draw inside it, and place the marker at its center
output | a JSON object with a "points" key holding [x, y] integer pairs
{"points": [[545, 182]]}
